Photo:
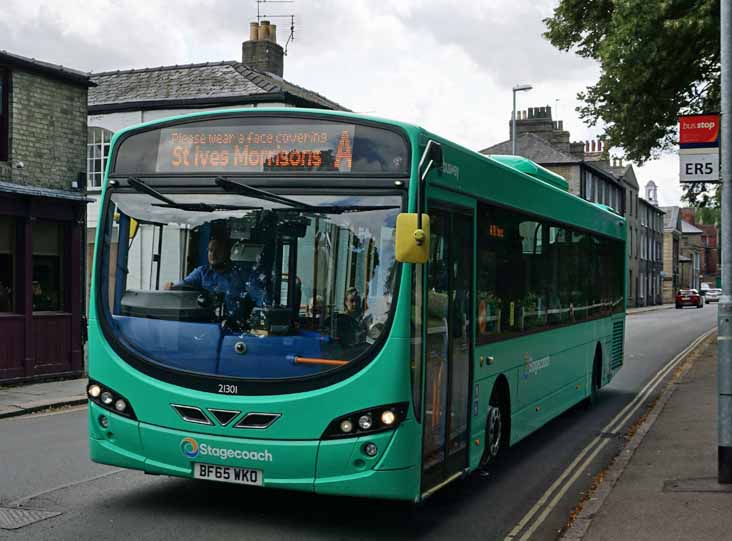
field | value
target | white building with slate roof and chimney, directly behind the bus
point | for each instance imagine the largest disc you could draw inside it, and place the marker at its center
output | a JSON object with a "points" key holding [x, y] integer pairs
{"points": [[123, 98]]}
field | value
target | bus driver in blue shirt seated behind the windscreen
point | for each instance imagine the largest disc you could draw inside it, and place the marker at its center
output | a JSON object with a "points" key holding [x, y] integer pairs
{"points": [[220, 276]]}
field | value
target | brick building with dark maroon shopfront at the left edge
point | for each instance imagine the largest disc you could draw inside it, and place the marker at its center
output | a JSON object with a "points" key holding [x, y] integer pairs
{"points": [[43, 111]]}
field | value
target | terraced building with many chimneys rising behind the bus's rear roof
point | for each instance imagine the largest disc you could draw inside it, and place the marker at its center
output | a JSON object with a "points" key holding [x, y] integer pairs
{"points": [[592, 175]]}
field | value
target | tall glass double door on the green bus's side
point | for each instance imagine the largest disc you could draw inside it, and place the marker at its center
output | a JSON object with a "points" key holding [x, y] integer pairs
{"points": [[448, 345]]}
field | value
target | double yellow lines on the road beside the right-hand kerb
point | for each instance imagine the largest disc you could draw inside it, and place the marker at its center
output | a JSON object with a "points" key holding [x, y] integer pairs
{"points": [[617, 422]]}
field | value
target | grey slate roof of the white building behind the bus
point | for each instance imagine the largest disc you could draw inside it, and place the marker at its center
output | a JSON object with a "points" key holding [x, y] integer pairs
{"points": [[207, 84]]}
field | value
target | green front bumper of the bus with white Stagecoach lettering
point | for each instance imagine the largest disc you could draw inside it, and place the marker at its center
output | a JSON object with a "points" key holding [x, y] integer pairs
{"points": [[324, 467]]}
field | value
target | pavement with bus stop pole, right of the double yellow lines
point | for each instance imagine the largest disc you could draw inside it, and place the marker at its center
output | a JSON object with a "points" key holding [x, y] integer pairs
{"points": [[663, 485]]}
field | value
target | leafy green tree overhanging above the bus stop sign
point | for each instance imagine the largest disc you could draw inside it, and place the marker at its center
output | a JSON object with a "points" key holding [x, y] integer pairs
{"points": [[658, 59]]}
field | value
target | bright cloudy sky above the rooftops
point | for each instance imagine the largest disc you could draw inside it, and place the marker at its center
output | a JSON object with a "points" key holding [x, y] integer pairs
{"points": [[448, 65]]}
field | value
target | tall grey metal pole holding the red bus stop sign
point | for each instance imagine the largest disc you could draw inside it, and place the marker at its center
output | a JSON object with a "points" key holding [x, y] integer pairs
{"points": [[724, 313]]}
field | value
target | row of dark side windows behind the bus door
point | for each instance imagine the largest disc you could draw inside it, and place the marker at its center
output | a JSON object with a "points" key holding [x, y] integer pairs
{"points": [[533, 275]]}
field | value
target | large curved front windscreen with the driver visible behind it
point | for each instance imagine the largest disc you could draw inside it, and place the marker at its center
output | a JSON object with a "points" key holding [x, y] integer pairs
{"points": [[297, 292]]}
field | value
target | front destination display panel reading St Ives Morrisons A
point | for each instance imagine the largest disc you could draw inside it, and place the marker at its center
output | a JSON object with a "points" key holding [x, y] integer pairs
{"points": [[267, 145]]}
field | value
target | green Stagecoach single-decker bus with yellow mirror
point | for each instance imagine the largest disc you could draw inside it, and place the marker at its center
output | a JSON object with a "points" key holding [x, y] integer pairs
{"points": [[338, 304]]}
